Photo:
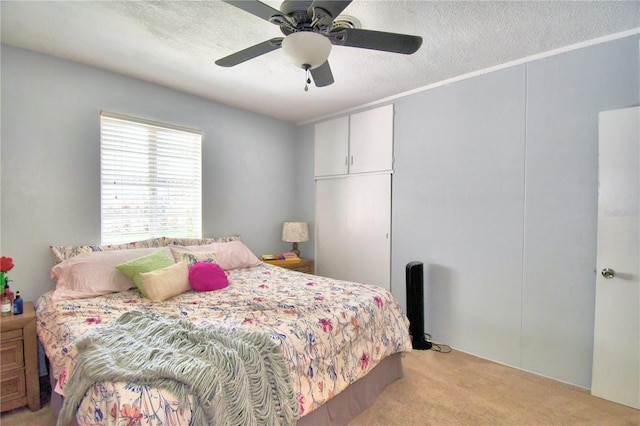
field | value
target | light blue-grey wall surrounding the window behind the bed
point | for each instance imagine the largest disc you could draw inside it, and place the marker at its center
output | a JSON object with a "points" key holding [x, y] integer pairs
{"points": [[51, 160]]}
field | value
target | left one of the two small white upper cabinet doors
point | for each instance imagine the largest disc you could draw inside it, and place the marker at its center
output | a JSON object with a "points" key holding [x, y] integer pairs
{"points": [[331, 150]]}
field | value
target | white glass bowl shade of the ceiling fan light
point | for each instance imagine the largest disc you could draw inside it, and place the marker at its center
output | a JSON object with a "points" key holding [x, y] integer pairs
{"points": [[306, 48]]}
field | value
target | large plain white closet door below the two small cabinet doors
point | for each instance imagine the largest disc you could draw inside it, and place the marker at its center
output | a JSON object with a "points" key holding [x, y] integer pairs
{"points": [[353, 225]]}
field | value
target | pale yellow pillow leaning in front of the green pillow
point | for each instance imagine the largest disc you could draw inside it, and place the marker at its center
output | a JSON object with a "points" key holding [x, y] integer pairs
{"points": [[162, 284]]}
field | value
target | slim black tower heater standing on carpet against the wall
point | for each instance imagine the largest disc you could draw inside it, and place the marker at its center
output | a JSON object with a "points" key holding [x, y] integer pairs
{"points": [[415, 305]]}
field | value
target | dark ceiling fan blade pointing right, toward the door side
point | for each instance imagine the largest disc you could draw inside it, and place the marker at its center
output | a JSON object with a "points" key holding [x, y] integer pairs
{"points": [[376, 40]]}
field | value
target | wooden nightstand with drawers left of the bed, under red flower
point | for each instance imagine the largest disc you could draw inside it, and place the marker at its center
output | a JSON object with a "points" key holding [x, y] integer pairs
{"points": [[20, 384]]}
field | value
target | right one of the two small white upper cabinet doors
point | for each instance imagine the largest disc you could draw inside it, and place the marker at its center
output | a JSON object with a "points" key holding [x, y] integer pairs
{"points": [[371, 140]]}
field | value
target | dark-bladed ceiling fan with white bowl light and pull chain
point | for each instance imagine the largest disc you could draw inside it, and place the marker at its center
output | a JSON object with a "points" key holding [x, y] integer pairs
{"points": [[310, 29]]}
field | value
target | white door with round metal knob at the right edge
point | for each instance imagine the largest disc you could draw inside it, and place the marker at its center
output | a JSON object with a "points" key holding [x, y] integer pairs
{"points": [[616, 352]]}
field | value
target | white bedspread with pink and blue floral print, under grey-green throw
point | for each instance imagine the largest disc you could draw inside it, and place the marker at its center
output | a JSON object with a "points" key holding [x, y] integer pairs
{"points": [[331, 333]]}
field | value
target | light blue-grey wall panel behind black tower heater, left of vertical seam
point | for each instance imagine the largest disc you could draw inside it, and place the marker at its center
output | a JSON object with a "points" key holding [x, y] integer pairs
{"points": [[458, 207]]}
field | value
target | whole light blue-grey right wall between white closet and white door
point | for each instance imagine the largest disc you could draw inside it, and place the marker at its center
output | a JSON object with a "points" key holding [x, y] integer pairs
{"points": [[495, 190]]}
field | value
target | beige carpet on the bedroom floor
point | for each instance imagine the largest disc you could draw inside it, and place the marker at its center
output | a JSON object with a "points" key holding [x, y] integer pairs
{"points": [[459, 389]]}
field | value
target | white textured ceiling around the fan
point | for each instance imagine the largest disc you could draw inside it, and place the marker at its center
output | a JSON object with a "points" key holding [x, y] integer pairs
{"points": [[175, 44]]}
